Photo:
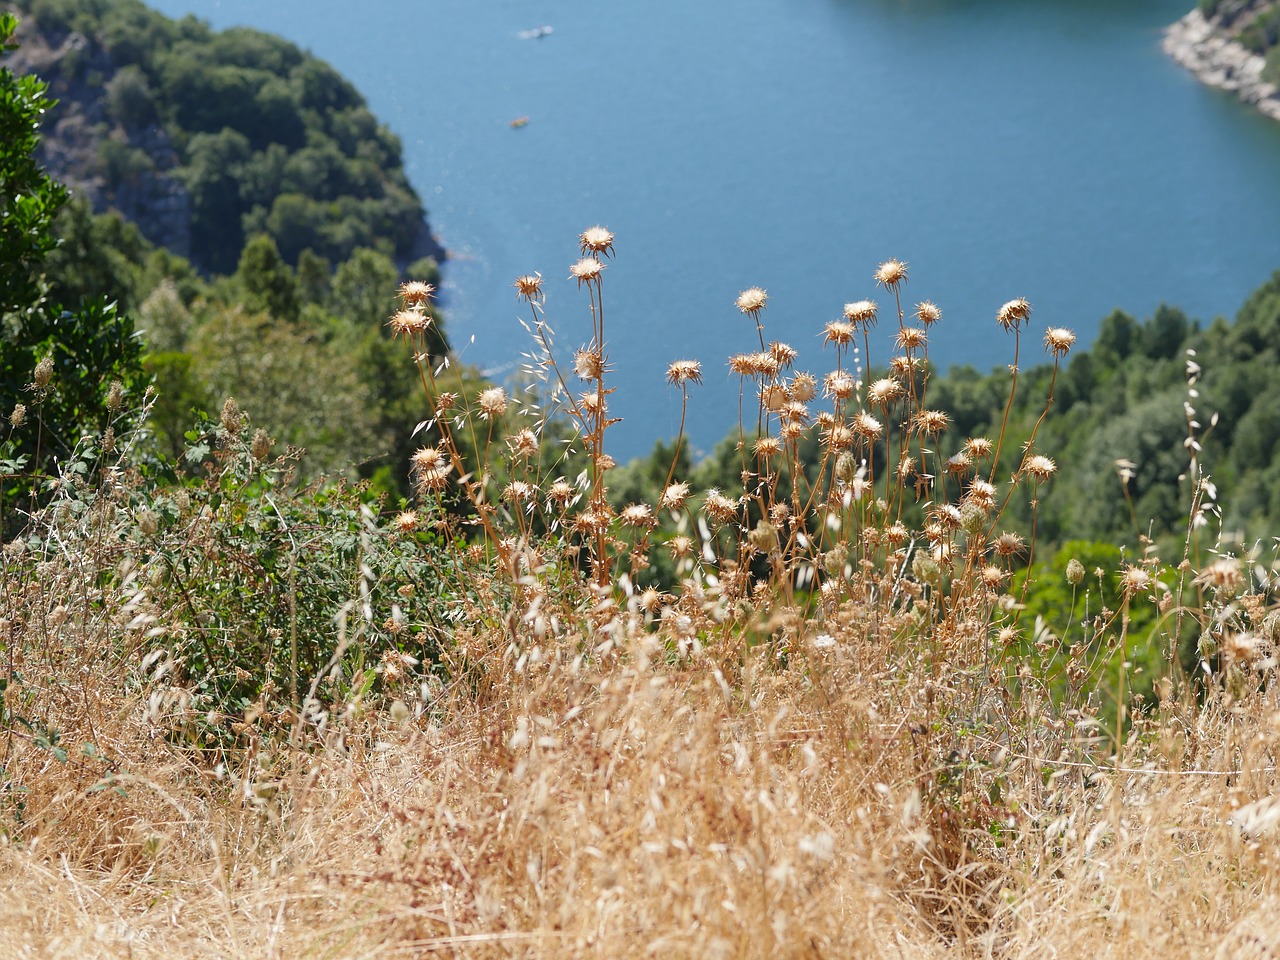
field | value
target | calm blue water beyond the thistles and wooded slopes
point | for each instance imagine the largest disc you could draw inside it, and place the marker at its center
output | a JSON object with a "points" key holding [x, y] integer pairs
{"points": [[1002, 148]]}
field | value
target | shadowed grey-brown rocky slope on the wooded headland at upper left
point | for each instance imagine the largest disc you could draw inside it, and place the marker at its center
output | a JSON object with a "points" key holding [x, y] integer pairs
{"points": [[143, 186]]}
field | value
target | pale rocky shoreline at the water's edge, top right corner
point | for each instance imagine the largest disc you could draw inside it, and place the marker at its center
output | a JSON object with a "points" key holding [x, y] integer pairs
{"points": [[1209, 48]]}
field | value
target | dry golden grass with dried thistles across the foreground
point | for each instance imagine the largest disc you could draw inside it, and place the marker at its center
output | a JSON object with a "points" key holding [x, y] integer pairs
{"points": [[845, 753]]}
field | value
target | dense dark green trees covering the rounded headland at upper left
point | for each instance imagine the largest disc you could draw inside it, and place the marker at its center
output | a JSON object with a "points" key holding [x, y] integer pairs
{"points": [[263, 138]]}
